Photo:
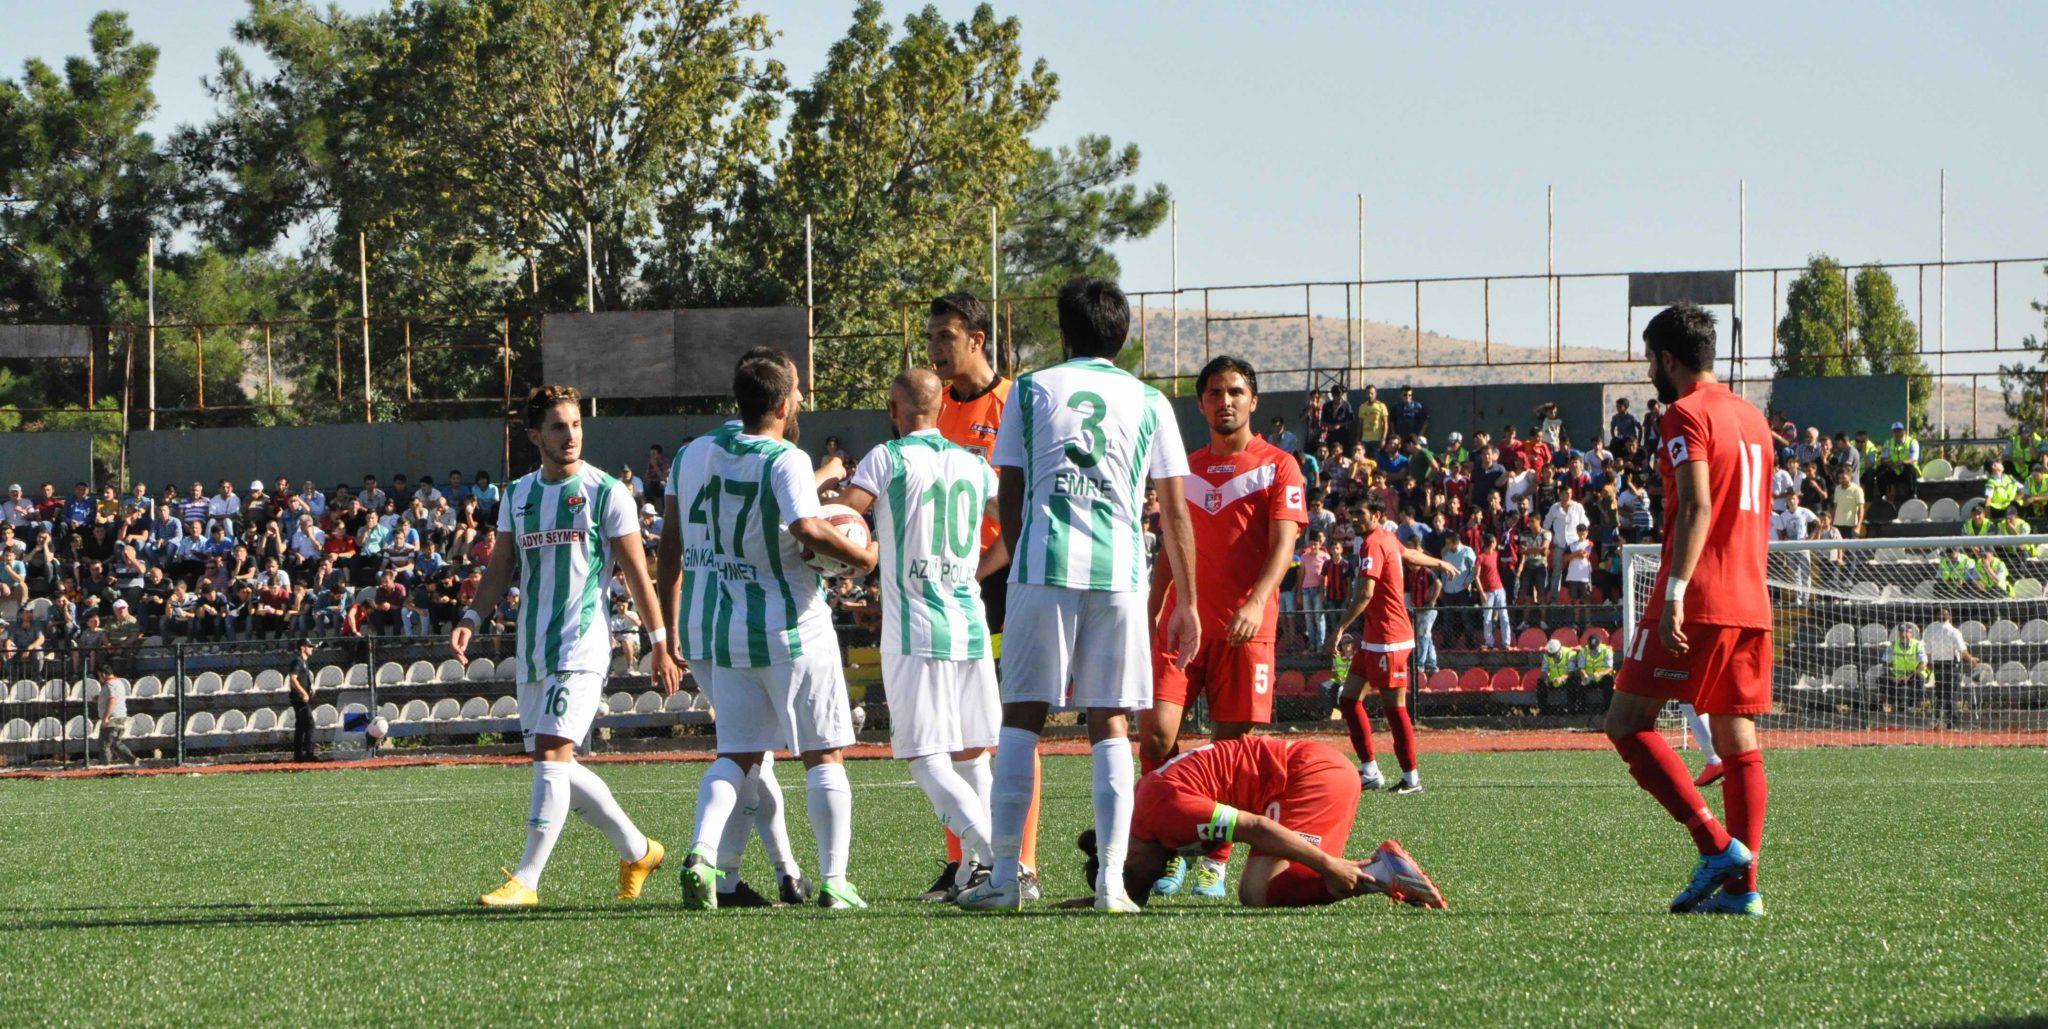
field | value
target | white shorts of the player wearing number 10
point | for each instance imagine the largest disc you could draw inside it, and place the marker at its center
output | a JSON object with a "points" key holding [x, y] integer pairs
{"points": [[941, 706]]}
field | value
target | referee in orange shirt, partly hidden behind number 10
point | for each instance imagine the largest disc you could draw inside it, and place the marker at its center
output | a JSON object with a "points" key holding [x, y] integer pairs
{"points": [[959, 337]]}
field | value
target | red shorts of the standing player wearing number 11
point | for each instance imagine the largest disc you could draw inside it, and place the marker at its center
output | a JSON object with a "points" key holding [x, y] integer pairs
{"points": [[1725, 671]]}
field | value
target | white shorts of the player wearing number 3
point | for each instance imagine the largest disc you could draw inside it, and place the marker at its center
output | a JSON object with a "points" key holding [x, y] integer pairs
{"points": [[1048, 628]]}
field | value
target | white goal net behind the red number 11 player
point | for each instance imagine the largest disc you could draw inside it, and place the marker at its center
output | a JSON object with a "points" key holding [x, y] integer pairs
{"points": [[1852, 620]]}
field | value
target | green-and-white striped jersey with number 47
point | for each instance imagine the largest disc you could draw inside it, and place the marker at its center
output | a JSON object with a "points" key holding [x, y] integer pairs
{"points": [[771, 606]]}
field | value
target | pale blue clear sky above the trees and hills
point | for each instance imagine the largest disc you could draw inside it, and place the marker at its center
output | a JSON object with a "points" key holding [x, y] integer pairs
{"points": [[1267, 120]]}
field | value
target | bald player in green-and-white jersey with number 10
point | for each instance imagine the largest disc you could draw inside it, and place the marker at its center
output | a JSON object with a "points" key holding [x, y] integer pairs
{"points": [[929, 499]]}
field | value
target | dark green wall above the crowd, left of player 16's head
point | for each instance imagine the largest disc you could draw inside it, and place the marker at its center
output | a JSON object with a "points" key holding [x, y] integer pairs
{"points": [[327, 454]]}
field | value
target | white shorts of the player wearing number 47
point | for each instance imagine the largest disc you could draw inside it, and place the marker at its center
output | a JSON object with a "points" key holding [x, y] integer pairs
{"points": [[798, 706]]}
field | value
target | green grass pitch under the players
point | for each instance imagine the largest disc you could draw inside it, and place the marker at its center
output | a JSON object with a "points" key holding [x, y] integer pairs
{"points": [[1906, 887]]}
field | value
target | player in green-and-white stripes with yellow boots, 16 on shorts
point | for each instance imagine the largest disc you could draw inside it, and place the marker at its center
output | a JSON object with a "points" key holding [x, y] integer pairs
{"points": [[560, 530]]}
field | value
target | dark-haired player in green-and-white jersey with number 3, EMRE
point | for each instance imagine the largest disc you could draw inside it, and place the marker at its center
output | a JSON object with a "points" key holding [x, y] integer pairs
{"points": [[1074, 456]]}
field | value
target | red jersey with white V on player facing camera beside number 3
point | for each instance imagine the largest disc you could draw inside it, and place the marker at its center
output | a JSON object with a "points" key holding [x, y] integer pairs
{"points": [[1234, 505]]}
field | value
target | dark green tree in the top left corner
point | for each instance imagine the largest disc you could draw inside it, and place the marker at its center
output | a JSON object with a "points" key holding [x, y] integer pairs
{"points": [[83, 188]]}
